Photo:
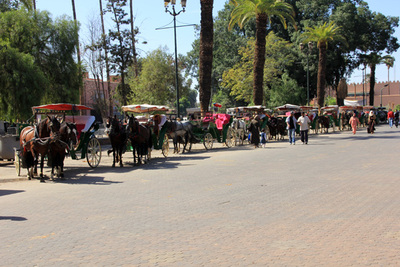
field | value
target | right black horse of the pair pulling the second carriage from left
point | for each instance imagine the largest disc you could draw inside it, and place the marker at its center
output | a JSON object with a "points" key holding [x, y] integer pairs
{"points": [[140, 137]]}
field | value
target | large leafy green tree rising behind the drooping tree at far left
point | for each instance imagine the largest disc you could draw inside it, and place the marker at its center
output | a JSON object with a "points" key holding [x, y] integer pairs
{"points": [[51, 44]]}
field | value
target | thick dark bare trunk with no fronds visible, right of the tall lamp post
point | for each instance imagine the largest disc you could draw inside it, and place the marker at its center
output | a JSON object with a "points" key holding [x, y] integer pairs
{"points": [[206, 53]]}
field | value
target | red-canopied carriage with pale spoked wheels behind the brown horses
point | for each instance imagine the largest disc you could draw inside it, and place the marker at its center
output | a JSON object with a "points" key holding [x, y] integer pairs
{"points": [[80, 139]]}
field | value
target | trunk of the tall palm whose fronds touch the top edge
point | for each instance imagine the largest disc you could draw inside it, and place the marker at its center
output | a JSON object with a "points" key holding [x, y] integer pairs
{"points": [[259, 59]]}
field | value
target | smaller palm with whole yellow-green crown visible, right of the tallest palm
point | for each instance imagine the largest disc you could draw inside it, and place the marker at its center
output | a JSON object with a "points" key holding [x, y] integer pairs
{"points": [[328, 32]]}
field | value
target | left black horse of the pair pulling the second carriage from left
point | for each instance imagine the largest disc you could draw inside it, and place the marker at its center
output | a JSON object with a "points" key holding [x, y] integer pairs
{"points": [[118, 137]]}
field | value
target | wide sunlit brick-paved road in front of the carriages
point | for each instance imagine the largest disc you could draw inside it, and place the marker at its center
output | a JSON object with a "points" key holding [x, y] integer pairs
{"points": [[334, 202]]}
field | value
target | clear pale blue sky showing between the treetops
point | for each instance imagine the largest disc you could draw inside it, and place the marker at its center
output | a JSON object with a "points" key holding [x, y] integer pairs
{"points": [[150, 14]]}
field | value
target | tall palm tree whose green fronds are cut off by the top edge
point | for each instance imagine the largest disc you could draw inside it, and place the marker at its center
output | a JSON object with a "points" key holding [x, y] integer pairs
{"points": [[262, 11]]}
